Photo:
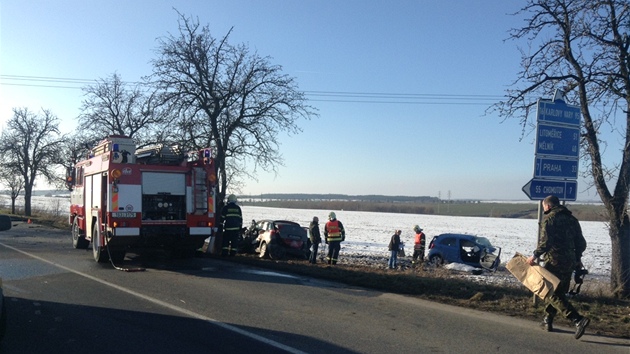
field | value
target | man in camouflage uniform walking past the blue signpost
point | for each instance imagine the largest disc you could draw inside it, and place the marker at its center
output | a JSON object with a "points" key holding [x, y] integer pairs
{"points": [[560, 246]]}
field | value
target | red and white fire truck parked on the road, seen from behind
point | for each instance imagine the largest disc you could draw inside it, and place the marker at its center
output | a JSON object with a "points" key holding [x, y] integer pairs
{"points": [[156, 196]]}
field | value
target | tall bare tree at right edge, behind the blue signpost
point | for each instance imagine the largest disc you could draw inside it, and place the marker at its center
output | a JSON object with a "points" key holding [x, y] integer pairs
{"points": [[581, 47]]}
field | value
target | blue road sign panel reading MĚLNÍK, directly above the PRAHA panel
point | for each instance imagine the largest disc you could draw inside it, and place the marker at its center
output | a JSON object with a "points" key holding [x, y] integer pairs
{"points": [[557, 140]]}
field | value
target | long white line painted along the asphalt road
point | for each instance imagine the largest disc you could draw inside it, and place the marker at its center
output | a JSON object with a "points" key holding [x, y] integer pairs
{"points": [[165, 304]]}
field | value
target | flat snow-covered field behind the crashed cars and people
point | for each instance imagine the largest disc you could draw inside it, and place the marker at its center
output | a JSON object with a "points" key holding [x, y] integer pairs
{"points": [[368, 233]]}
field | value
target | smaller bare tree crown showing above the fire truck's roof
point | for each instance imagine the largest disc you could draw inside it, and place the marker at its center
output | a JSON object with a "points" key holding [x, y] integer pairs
{"points": [[113, 107]]}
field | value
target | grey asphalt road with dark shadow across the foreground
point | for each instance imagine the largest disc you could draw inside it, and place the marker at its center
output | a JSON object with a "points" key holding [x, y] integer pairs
{"points": [[60, 301]]}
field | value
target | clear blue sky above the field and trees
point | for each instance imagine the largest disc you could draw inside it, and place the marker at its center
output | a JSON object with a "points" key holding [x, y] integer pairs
{"points": [[449, 55]]}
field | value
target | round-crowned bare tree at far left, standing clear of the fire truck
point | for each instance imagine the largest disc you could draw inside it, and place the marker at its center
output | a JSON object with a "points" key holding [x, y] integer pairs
{"points": [[30, 146]]}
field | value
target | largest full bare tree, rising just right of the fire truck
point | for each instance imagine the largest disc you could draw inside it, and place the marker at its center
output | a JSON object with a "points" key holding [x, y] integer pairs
{"points": [[227, 98]]}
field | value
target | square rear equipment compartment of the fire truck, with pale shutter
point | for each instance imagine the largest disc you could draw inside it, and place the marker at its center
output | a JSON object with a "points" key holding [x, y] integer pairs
{"points": [[163, 196]]}
